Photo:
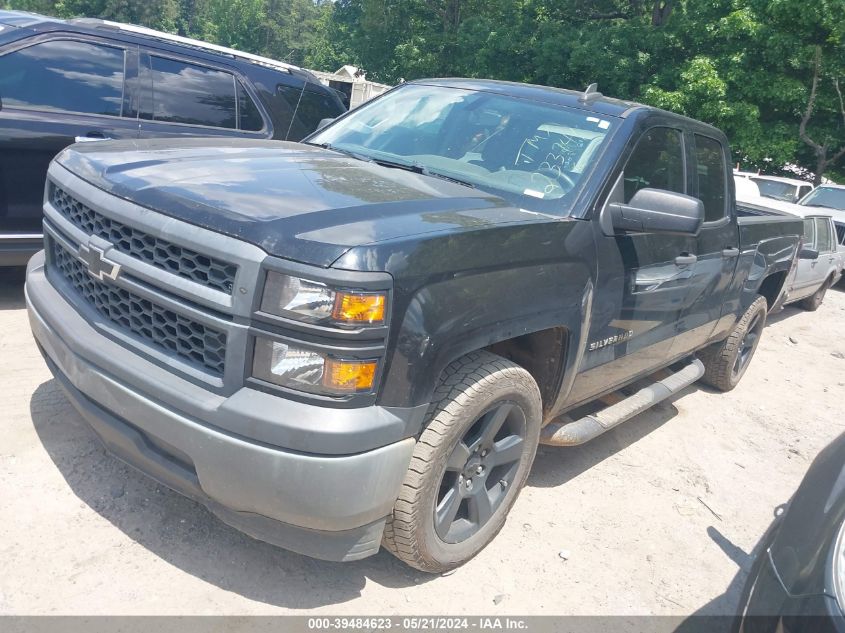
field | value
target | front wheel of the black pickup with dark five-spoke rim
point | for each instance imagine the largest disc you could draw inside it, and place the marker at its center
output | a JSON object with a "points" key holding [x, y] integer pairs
{"points": [[460, 442]]}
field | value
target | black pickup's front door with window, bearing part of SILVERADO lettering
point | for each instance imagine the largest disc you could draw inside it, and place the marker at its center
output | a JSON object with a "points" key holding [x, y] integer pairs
{"points": [[643, 279]]}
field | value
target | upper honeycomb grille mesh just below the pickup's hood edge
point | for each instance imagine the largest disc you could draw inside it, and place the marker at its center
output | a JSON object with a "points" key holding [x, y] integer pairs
{"points": [[152, 250]]}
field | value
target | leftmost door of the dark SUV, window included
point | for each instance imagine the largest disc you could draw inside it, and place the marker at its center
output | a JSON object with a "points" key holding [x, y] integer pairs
{"points": [[55, 90]]}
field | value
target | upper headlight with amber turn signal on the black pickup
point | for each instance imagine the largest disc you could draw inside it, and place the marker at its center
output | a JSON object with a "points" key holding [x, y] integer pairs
{"points": [[315, 302]]}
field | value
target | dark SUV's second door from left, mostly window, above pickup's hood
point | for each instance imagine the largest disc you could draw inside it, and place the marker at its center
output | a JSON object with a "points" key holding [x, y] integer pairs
{"points": [[180, 96]]}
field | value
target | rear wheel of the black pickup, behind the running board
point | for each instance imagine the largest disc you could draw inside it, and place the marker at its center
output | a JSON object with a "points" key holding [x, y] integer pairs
{"points": [[725, 362]]}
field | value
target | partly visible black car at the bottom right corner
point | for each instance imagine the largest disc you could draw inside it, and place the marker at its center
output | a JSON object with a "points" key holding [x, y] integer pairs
{"points": [[797, 582]]}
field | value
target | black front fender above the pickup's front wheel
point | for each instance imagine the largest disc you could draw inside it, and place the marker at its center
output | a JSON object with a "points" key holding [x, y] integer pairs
{"points": [[475, 289]]}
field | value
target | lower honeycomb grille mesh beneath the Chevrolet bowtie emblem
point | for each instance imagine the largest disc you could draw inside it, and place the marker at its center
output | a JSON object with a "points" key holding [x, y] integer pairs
{"points": [[160, 326]]}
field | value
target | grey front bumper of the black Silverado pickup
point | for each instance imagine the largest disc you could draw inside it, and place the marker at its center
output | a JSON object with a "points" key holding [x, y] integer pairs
{"points": [[326, 506]]}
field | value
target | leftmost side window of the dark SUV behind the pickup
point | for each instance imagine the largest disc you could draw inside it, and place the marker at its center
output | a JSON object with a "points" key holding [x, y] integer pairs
{"points": [[65, 75]]}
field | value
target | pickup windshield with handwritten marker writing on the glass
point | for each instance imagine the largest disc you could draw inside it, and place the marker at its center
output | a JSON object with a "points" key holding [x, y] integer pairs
{"points": [[528, 152]]}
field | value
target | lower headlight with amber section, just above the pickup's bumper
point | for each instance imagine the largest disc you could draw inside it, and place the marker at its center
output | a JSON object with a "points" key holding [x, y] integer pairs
{"points": [[306, 370]]}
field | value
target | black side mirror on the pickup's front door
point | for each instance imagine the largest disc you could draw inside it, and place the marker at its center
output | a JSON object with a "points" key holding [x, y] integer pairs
{"points": [[658, 211]]}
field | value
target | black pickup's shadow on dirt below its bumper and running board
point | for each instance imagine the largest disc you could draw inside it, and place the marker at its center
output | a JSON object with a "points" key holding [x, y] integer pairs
{"points": [[186, 535]]}
